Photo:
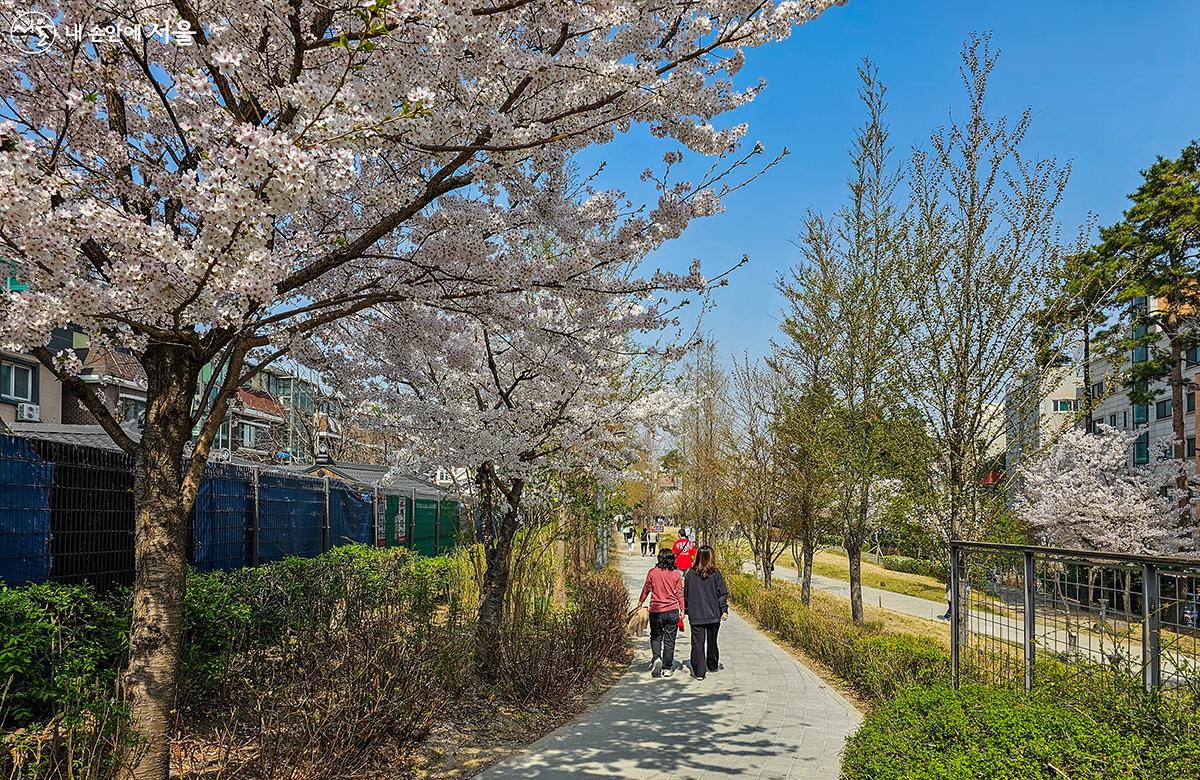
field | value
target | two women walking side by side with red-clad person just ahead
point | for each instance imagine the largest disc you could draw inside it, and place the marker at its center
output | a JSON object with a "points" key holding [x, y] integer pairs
{"points": [[686, 583]]}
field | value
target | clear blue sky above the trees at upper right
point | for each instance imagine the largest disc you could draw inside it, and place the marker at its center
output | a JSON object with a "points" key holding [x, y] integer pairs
{"points": [[1111, 85]]}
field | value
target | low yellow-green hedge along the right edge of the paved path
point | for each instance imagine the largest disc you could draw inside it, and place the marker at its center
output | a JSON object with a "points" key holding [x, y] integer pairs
{"points": [[874, 663]]}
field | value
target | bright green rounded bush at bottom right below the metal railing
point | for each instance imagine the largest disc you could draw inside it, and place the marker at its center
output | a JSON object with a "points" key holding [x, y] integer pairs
{"points": [[987, 733]]}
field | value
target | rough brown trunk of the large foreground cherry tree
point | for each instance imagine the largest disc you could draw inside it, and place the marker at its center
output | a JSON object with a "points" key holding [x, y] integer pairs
{"points": [[161, 513]]}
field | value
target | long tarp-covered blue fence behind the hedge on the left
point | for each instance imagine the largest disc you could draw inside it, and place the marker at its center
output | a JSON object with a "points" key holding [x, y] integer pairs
{"points": [[67, 515]]}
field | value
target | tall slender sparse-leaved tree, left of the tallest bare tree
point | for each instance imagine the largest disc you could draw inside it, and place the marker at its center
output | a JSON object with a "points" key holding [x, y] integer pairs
{"points": [[849, 290]]}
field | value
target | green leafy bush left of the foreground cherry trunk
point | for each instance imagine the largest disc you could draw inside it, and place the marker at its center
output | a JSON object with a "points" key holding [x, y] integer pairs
{"points": [[57, 644]]}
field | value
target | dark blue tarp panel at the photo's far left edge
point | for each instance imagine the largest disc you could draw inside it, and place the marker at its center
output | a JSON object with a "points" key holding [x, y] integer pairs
{"points": [[25, 513]]}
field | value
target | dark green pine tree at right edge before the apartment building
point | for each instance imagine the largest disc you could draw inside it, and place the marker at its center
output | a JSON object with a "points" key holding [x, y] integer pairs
{"points": [[1156, 249]]}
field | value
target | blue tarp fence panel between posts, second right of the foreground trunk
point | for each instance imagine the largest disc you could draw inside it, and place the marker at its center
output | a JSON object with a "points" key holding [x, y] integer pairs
{"points": [[291, 517]]}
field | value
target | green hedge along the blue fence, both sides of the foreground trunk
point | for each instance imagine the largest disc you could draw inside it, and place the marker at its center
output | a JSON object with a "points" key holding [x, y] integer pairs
{"points": [[61, 645]]}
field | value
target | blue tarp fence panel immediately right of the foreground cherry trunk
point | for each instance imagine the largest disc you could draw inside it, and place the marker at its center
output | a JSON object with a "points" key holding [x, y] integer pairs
{"points": [[224, 506]]}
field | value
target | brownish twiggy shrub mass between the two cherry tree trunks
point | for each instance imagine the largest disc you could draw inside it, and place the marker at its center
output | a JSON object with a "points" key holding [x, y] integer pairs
{"points": [[340, 655]]}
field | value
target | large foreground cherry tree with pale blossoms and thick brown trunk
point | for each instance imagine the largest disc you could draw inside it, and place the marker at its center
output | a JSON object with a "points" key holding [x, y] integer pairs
{"points": [[220, 196]]}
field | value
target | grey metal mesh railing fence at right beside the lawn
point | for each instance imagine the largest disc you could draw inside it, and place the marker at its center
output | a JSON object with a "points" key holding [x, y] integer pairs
{"points": [[1019, 613]]}
